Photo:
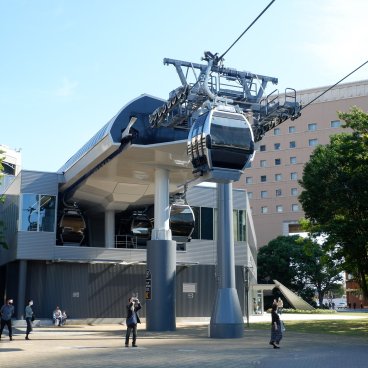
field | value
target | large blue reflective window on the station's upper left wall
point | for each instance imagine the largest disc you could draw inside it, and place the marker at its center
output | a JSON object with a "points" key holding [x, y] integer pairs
{"points": [[38, 213]]}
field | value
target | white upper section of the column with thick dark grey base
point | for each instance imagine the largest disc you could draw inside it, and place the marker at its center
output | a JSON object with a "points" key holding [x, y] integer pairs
{"points": [[161, 230]]}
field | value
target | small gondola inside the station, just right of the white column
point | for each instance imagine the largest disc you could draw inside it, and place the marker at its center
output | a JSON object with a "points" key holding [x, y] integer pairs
{"points": [[182, 222]]}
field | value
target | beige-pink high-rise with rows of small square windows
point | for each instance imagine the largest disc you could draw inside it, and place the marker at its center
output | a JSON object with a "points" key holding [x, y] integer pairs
{"points": [[272, 179]]}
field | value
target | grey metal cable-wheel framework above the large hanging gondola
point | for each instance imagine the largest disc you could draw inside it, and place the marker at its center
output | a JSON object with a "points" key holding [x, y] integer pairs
{"points": [[218, 83]]}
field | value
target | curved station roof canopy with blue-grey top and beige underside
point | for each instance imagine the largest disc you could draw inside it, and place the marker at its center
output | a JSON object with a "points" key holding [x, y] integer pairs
{"points": [[115, 169]]}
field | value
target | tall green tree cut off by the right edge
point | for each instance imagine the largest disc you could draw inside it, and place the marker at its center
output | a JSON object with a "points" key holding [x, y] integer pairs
{"points": [[335, 194]]}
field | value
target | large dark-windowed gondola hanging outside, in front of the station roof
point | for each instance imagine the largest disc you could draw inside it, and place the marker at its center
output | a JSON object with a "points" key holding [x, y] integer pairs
{"points": [[220, 144]]}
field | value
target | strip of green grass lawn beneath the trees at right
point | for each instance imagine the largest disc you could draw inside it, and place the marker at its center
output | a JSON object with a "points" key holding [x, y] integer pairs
{"points": [[346, 327]]}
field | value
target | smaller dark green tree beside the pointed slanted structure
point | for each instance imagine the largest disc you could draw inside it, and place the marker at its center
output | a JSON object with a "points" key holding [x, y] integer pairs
{"points": [[300, 264]]}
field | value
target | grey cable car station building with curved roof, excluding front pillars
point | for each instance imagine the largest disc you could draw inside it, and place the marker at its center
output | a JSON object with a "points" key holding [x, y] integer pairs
{"points": [[78, 237]]}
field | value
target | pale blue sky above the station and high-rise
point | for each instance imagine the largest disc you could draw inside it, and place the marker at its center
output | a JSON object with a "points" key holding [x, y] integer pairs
{"points": [[68, 66]]}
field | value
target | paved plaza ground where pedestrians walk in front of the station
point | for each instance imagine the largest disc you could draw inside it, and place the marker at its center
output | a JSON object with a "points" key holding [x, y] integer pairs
{"points": [[189, 346]]}
